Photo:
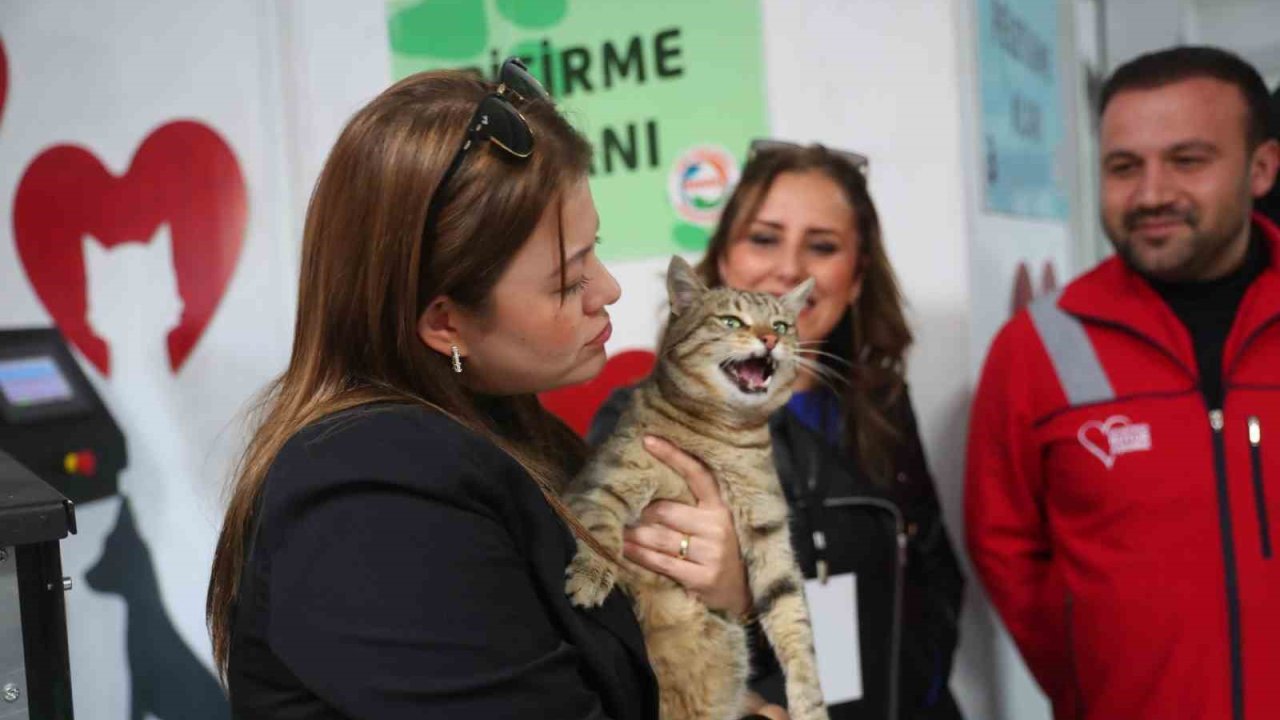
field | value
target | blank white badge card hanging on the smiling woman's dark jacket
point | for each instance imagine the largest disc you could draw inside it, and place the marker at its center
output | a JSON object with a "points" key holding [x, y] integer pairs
{"points": [[834, 613]]}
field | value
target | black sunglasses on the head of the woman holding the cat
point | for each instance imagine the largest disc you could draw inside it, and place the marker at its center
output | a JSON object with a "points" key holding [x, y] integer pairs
{"points": [[497, 121]]}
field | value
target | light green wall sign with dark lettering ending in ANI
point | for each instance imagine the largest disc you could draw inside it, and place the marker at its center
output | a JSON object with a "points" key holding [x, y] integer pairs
{"points": [[670, 93]]}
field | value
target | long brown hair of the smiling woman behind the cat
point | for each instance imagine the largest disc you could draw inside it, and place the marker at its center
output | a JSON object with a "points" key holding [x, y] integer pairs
{"points": [[872, 338]]}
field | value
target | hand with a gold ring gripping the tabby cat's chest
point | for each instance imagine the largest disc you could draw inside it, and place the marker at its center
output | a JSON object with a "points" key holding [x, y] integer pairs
{"points": [[712, 568]]}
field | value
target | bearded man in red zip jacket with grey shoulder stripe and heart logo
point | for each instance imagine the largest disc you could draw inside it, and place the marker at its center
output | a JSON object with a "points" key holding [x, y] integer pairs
{"points": [[1123, 484]]}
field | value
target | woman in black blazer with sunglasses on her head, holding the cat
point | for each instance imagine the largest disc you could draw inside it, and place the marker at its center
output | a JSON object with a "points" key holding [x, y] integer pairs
{"points": [[395, 545]]}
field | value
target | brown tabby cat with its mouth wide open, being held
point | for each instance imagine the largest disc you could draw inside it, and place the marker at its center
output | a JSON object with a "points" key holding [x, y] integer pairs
{"points": [[725, 364]]}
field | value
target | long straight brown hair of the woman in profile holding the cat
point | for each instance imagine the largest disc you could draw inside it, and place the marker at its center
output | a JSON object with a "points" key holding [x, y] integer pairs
{"points": [[367, 271]]}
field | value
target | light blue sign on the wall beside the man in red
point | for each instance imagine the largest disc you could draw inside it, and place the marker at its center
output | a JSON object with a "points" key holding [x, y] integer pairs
{"points": [[1023, 131]]}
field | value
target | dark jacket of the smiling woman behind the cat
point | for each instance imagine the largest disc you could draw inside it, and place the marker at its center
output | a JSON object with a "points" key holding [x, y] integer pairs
{"points": [[908, 604]]}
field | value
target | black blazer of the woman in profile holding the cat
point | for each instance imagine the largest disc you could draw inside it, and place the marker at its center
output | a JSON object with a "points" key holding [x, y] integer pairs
{"points": [[405, 568]]}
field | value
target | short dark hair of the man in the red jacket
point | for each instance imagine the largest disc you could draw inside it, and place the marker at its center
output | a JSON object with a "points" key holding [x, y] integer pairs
{"points": [[1176, 65]]}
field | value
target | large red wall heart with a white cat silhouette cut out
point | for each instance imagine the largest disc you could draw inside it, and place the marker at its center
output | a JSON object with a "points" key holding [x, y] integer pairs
{"points": [[184, 175]]}
